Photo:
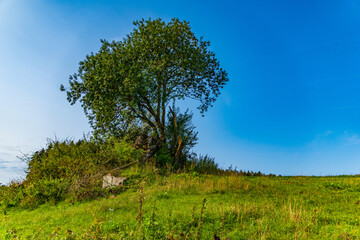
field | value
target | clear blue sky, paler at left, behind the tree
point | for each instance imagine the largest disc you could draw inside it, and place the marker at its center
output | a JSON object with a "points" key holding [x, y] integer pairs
{"points": [[291, 107]]}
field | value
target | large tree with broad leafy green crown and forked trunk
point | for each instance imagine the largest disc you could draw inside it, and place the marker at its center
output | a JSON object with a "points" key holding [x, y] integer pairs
{"points": [[131, 82]]}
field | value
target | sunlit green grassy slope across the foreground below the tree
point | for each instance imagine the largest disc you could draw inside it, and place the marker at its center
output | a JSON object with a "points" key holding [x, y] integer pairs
{"points": [[236, 207]]}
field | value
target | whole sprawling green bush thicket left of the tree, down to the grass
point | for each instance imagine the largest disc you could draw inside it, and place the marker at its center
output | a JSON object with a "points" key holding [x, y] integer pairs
{"points": [[68, 170]]}
